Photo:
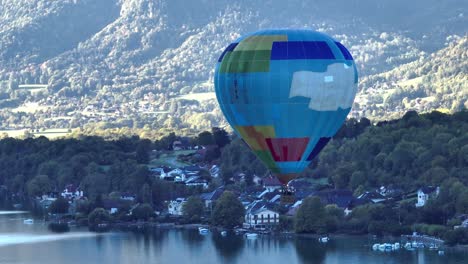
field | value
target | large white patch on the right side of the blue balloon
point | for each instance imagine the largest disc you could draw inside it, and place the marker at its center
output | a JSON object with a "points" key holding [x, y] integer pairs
{"points": [[328, 90]]}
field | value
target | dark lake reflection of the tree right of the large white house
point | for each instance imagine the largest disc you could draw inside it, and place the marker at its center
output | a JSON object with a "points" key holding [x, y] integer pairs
{"points": [[309, 250]]}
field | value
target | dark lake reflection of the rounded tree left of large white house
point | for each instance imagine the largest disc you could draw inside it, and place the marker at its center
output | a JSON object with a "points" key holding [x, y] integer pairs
{"points": [[228, 247]]}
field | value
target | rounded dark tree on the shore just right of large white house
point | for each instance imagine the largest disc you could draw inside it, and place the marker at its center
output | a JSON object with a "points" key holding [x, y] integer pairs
{"points": [[310, 217]]}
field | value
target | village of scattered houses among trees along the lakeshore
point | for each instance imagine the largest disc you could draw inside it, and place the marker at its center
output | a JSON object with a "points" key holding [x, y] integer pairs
{"points": [[263, 203]]}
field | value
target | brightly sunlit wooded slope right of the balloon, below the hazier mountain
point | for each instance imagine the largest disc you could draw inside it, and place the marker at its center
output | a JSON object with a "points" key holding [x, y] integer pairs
{"points": [[437, 81]]}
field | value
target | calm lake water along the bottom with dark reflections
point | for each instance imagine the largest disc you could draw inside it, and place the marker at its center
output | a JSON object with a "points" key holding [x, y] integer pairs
{"points": [[20, 243]]}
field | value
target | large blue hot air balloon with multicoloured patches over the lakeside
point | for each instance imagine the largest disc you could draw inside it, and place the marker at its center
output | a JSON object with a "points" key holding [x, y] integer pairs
{"points": [[286, 93]]}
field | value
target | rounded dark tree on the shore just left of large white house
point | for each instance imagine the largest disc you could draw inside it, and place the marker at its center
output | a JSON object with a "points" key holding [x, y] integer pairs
{"points": [[228, 212]]}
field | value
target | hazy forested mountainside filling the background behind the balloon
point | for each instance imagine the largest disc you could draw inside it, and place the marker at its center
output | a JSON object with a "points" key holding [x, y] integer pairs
{"points": [[149, 64]]}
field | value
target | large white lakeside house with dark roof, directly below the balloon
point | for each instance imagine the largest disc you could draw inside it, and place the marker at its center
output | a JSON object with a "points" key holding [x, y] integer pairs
{"points": [[261, 215]]}
